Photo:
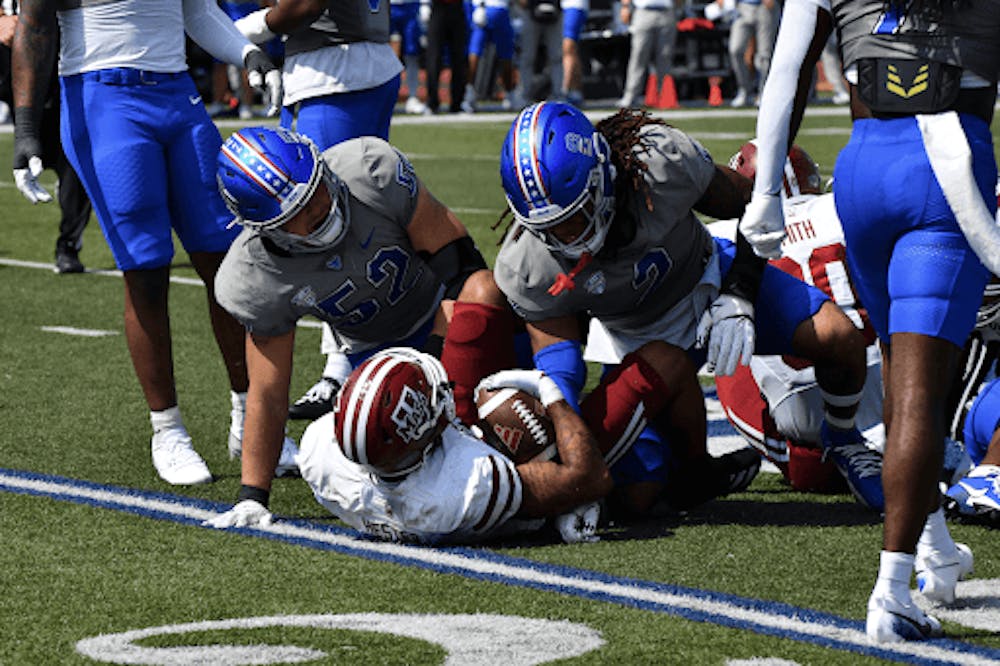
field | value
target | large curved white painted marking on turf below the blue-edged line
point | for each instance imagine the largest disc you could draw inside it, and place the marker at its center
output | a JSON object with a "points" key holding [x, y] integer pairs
{"points": [[468, 639]]}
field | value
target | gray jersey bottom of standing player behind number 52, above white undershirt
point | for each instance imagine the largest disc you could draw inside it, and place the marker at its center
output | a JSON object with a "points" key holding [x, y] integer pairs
{"points": [[343, 21]]}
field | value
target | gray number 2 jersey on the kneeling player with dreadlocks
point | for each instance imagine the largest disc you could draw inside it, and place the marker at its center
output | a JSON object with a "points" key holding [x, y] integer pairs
{"points": [[630, 286]]}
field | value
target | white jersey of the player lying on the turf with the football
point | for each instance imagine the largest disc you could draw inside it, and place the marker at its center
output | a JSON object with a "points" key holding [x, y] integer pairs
{"points": [[465, 490]]}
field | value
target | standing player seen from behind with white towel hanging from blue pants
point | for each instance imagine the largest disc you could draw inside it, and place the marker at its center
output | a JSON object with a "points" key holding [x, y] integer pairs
{"points": [[914, 190]]}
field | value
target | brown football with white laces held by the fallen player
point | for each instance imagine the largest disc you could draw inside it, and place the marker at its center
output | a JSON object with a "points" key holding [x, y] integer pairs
{"points": [[515, 423]]}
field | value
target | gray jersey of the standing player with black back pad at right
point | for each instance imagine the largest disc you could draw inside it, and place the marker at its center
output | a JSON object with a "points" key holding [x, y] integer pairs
{"points": [[967, 35]]}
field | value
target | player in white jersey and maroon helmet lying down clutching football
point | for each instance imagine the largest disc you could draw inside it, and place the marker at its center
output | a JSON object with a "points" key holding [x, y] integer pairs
{"points": [[393, 461]]}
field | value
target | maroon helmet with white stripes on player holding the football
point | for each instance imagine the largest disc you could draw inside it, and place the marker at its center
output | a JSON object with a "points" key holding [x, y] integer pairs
{"points": [[391, 411]]}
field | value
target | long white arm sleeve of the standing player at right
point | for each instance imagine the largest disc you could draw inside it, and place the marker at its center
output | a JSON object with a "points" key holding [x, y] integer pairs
{"points": [[798, 25]]}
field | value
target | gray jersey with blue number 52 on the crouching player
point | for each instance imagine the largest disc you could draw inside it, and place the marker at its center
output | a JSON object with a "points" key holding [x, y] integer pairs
{"points": [[371, 287]]}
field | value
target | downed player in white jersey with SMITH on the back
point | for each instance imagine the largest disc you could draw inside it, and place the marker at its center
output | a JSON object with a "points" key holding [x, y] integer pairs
{"points": [[775, 402]]}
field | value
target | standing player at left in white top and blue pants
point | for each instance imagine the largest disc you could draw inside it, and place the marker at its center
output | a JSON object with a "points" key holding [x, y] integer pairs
{"points": [[137, 133]]}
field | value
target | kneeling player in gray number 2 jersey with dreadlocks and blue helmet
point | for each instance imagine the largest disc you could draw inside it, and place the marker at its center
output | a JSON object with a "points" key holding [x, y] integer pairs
{"points": [[605, 228]]}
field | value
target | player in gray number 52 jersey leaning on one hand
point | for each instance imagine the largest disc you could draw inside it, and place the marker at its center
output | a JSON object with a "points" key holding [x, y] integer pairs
{"points": [[352, 237]]}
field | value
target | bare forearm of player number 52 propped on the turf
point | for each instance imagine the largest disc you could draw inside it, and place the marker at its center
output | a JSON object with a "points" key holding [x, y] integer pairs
{"points": [[269, 363]]}
